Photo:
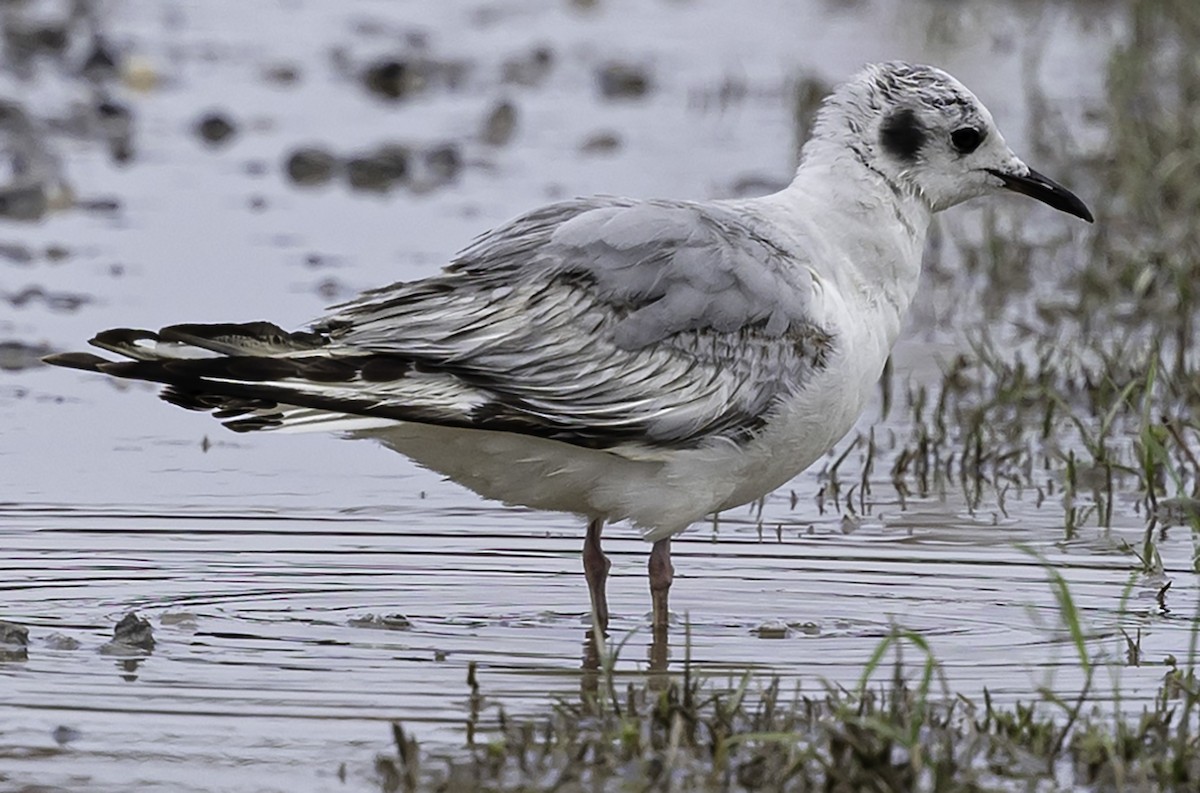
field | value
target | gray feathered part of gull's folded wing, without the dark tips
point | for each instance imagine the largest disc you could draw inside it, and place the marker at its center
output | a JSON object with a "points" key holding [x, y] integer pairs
{"points": [[605, 323]]}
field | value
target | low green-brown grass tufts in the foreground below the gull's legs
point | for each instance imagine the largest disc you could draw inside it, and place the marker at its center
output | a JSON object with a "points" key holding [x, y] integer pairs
{"points": [[899, 729]]}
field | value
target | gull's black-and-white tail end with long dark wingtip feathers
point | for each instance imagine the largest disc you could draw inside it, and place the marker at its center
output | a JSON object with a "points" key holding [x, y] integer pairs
{"points": [[260, 377]]}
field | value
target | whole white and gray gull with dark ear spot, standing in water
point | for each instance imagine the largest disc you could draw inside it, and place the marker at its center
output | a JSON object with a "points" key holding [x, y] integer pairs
{"points": [[651, 362]]}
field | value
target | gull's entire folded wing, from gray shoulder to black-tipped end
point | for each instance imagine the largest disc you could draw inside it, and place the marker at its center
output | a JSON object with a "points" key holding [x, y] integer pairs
{"points": [[632, 327]]}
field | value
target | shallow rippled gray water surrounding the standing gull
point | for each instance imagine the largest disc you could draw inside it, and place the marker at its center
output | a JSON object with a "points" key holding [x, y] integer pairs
{"points": [[261, 560]]}
